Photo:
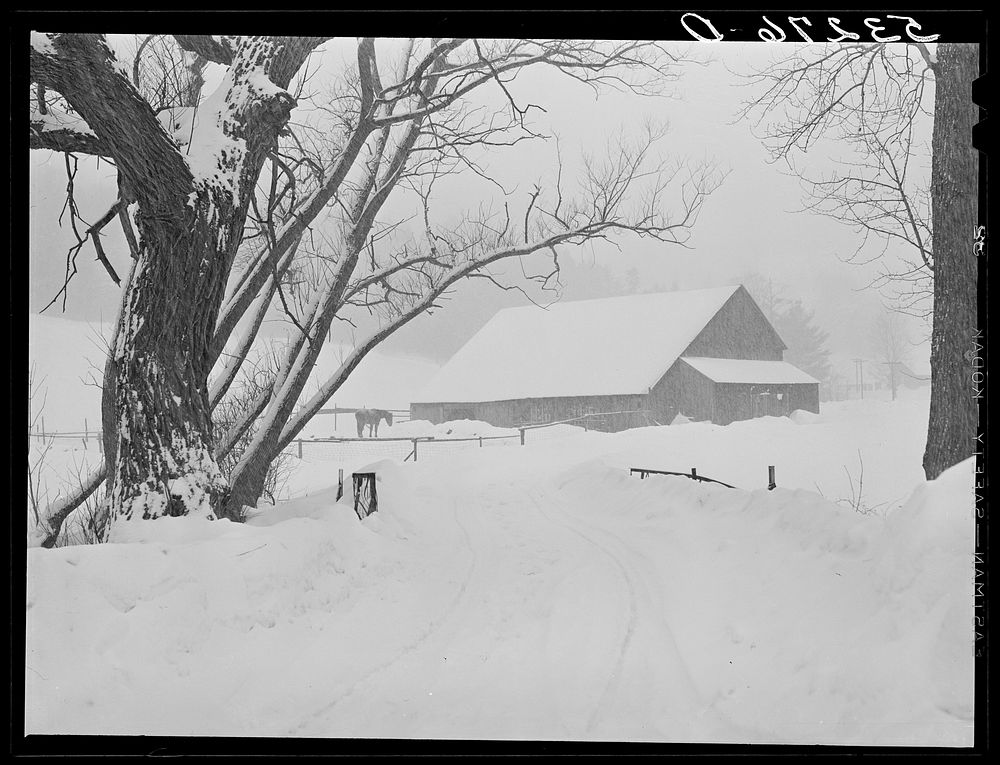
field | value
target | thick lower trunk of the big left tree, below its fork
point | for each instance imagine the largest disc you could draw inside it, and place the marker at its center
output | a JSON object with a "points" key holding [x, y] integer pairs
{"points": [[163, 461]]}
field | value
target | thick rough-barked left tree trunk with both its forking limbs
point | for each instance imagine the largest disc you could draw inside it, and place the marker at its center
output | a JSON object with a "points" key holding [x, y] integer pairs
{"points": [[189, 226]]}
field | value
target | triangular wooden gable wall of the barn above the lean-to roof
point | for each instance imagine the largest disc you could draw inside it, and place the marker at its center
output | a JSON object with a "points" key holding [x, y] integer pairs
{"points": [[738, 331]]}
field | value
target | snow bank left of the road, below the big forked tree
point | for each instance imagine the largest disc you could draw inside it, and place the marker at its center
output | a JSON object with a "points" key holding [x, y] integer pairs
{"points": [[189, 625]]}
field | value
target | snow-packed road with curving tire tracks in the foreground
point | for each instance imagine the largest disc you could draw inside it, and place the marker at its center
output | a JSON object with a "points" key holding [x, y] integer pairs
{"points": [[554, 628]]}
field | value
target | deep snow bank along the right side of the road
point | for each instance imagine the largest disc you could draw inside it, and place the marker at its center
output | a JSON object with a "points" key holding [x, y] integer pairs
{"points": [[803, 621]]}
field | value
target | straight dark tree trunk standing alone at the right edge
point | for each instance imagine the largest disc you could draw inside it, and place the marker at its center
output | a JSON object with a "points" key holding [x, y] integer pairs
{"points": [[951, 429]]}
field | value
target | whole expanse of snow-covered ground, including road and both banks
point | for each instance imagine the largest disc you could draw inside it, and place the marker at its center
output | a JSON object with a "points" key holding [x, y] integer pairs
{"points": [[541, 592]]}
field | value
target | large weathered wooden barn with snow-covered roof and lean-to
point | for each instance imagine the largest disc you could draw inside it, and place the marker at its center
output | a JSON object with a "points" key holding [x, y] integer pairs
{"points": [[707, 354]]}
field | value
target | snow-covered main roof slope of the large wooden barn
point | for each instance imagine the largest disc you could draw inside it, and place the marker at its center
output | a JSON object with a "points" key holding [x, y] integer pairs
{"points": [[595, 347]]}
